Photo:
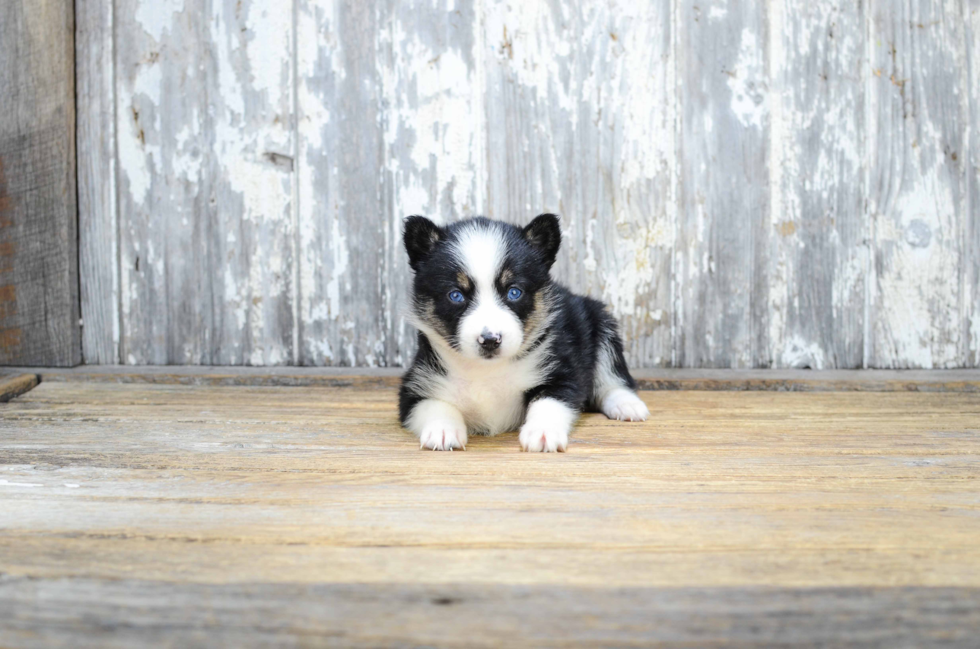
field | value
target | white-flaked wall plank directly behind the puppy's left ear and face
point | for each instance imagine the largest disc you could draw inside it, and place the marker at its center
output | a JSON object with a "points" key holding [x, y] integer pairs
{"points": [[432, 99]]}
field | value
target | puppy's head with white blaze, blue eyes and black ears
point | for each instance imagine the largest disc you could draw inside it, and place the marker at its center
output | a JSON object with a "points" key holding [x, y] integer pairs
{"points": [[481, 285]]}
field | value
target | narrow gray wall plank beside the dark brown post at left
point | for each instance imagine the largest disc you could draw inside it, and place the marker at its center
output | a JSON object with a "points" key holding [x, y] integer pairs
{"points": [[98, 253]]}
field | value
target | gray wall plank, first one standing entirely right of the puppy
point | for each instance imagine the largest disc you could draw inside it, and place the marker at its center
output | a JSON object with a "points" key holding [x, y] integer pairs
{"points": [[723, 221]]}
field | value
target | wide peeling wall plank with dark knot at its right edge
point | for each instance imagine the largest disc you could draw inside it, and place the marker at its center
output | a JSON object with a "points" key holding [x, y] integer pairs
{"points": [[205, 138]]}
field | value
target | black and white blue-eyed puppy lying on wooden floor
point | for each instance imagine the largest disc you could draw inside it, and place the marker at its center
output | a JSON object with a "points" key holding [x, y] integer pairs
{"points": [[501, 345]]}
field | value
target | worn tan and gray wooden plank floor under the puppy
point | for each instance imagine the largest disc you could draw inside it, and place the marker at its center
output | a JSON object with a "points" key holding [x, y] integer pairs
{"points": [[185, 515]]}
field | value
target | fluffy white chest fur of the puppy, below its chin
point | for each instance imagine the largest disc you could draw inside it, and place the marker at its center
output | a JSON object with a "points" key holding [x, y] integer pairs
{"points": [[490, 394]]}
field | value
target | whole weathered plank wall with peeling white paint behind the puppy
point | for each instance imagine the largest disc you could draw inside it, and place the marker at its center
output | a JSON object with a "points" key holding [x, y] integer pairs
{"points": [[777, 184]]}
